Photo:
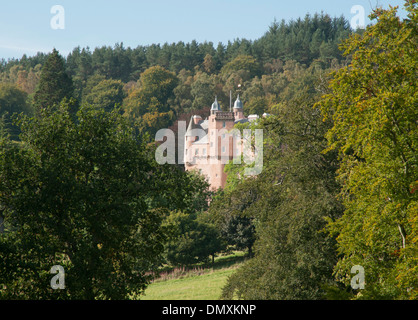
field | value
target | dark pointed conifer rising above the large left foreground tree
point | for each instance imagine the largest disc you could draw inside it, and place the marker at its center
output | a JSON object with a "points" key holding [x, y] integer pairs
{"points": [[54, 84]]}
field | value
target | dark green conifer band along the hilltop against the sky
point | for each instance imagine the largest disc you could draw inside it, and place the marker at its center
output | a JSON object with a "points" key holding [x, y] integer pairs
{"points": [[303, 40]]}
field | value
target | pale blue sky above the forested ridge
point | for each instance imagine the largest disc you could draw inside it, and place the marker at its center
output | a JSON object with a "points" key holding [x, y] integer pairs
{"points": [[25, 25]]}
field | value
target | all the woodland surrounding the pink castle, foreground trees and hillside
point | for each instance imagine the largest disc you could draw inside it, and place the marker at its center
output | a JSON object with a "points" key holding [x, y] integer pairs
{"points": [[79, 185]]}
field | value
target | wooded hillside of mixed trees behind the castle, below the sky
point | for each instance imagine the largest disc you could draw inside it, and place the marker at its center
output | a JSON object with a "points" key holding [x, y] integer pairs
{"points": [[197, 71]]}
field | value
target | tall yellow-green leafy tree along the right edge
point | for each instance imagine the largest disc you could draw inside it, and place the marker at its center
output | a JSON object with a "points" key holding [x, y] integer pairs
{"points": [[373, 105]]}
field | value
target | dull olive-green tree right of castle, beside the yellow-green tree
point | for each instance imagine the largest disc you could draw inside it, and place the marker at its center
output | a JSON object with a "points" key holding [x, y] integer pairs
{"points": [[288, 202]]}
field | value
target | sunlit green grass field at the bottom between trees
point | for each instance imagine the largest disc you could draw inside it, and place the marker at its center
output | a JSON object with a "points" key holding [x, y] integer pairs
{"points": [[196, 284]]}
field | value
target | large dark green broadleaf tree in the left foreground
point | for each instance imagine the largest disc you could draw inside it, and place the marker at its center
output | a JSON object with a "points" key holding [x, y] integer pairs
{"points": [[86, 195]]}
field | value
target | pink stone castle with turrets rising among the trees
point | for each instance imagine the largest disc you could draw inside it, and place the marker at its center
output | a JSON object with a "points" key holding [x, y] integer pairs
{"points": [[208, 146]]}
